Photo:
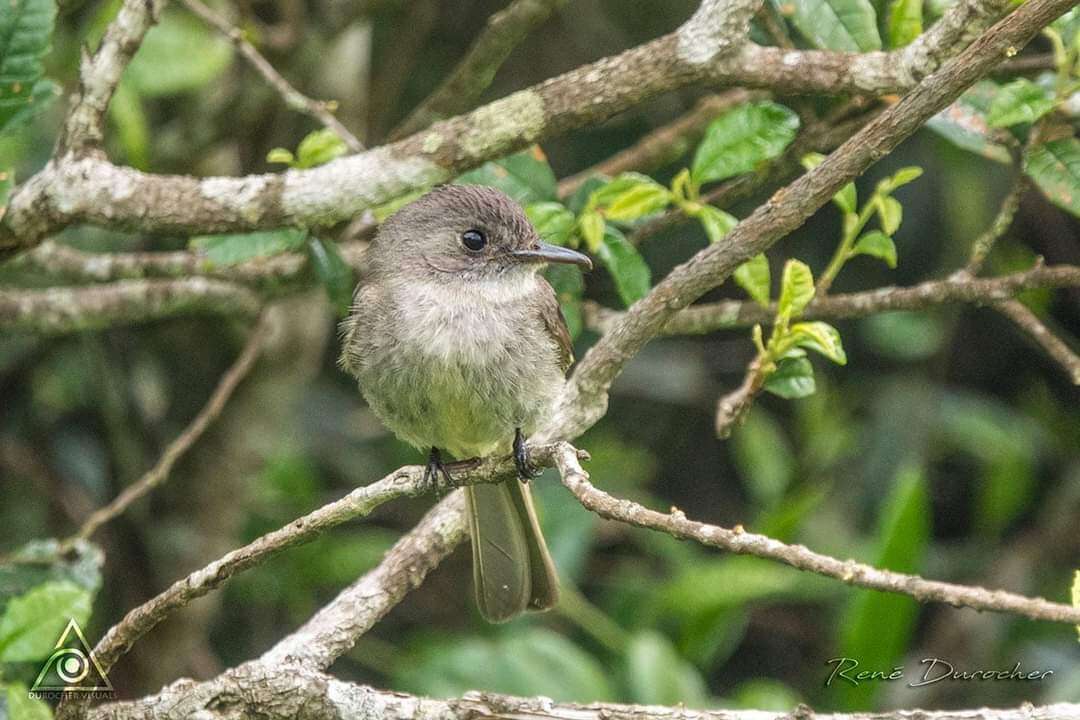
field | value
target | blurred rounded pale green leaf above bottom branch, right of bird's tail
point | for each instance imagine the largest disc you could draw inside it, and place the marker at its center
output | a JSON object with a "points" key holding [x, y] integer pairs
{"points": [[657, 675]]}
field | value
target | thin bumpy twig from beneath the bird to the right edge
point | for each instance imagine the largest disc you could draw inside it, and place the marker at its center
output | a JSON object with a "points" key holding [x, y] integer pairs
{"points": [[850, 573]]}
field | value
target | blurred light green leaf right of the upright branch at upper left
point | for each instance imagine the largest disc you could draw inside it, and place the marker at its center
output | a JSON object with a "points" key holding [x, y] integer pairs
{"points": [[179, 56]]}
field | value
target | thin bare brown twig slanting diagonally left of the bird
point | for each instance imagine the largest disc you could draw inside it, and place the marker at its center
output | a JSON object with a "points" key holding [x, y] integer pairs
{"points": [[240, 369]]}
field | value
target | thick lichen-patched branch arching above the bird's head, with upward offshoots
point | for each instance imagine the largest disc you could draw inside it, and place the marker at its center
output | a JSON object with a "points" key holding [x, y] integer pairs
{"points": [[711, 47]]}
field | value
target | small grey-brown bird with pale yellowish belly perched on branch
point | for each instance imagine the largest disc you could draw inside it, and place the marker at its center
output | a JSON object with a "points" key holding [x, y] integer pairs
{"points": [[460, 345]]}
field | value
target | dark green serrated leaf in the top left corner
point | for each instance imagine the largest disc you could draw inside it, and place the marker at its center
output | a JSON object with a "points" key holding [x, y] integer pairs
{"points": [[26, 28]]}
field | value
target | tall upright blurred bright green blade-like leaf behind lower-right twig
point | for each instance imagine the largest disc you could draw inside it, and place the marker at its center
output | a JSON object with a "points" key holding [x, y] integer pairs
{"points": [[876, 628]]}
